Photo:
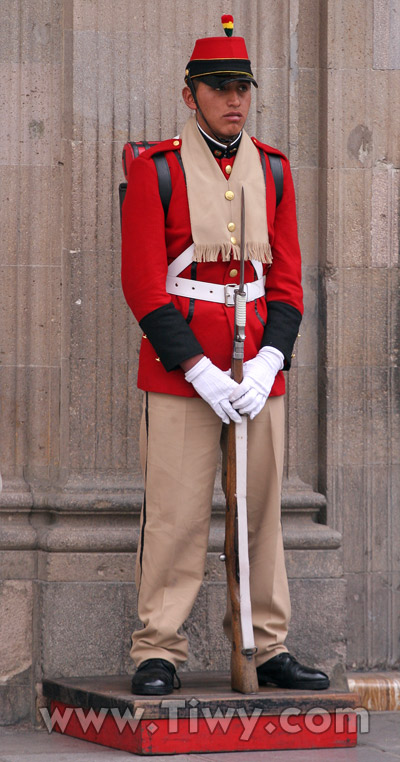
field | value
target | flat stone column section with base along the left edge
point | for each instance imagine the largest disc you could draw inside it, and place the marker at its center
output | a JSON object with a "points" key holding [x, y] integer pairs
{"points": [[31, 167]]}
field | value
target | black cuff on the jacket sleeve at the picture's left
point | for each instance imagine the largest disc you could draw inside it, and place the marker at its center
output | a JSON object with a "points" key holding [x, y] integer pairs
{"points": [[170, 335]]}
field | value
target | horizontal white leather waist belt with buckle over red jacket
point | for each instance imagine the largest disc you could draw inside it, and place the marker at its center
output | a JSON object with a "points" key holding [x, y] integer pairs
{"points": [[214, 292]]}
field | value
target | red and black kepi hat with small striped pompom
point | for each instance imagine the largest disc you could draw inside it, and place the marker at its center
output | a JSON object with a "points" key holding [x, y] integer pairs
{"points": [[216, 60]]}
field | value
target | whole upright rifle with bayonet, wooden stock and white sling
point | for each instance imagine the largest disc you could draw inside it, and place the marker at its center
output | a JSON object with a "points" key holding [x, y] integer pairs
{"points": [[243, 668]]}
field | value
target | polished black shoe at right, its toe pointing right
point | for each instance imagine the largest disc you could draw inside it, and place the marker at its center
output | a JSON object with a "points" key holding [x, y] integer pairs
{"points": [[285, 671]]}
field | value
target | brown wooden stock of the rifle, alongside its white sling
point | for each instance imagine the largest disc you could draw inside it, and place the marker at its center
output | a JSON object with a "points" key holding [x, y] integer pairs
{"points": [[243, 668]]}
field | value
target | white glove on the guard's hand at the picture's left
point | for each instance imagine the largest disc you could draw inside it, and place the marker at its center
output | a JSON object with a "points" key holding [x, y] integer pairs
{"points": [[214, 386]]}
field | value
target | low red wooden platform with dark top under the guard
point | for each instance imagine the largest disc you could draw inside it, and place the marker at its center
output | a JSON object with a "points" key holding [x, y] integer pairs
{"points": [[203, 716]]}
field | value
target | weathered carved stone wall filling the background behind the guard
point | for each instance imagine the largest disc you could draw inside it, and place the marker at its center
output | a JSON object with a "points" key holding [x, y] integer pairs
{"points": [[79, 78]]}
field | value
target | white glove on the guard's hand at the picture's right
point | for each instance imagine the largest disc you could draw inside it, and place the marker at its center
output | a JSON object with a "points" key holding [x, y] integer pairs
{"points": [[258, 376]]}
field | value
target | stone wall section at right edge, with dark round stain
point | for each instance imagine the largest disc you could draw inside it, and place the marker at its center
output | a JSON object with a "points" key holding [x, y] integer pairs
{"points": [[359, 243]]}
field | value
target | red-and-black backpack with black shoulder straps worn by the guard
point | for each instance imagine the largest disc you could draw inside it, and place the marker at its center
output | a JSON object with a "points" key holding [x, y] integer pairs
{"points": [[133, 149]]}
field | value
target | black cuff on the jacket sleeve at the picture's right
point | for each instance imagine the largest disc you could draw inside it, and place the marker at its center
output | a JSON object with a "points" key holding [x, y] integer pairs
{"points": [[281, 330]]}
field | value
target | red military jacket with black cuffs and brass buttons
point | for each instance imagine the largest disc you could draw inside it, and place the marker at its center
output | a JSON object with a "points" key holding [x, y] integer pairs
{"points": [[177, 328]]}
